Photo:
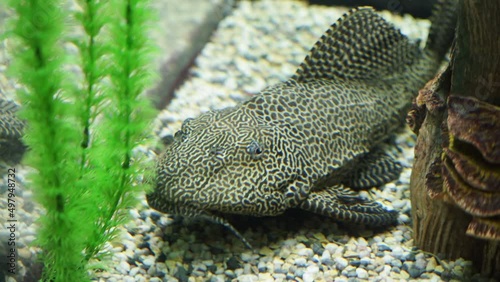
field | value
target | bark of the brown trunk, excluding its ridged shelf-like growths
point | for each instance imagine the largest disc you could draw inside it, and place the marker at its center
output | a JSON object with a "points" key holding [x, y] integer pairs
{"points": [[440, 226]]}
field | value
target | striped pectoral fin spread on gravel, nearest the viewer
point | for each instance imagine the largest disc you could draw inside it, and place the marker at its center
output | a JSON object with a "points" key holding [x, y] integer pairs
{"points": [[345, 205]]}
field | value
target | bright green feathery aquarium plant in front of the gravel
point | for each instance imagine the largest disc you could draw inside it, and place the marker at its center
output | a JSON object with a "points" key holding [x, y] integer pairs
{"points": [[82, 126]]}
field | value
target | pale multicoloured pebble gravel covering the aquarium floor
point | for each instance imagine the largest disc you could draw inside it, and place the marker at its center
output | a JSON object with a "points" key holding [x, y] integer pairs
{"points": [[259, 44]]}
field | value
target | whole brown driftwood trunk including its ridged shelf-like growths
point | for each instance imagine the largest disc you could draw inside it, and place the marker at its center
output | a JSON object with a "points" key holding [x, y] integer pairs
{"points": [[455, 184]]}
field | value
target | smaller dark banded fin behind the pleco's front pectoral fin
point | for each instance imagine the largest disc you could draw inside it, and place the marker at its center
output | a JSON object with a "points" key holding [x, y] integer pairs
{"points": [[373, 170]]}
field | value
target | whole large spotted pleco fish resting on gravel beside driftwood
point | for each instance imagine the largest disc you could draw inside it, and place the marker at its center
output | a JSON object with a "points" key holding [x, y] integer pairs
{"points": [[312, 141]]}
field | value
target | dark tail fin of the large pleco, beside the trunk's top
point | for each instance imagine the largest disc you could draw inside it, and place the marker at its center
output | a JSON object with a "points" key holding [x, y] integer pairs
{"points": [[442, 31]]}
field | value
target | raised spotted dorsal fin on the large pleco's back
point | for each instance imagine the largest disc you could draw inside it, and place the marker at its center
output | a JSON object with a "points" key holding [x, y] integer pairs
{"points": [[360, 45]]}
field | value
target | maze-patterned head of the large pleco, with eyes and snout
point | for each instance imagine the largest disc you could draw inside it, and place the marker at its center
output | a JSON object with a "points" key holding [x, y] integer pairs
{"points": [[220, 162]]}
